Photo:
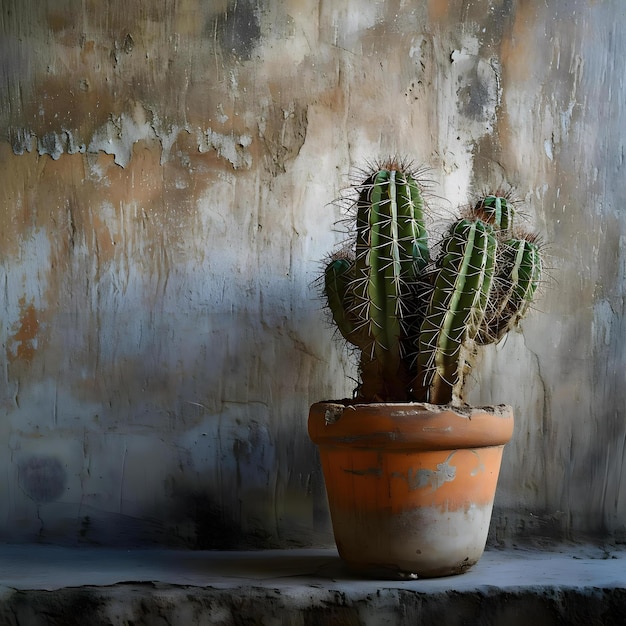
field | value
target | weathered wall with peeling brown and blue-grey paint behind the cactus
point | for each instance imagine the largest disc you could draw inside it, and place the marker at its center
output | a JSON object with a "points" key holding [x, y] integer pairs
{"points": [[166, 169]]}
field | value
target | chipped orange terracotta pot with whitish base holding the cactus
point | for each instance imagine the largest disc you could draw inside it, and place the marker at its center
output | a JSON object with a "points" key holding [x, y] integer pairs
{"points": [[410, 486]]}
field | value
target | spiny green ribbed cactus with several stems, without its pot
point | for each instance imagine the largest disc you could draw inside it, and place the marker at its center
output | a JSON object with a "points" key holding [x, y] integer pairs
{"points": [[415, 319]]}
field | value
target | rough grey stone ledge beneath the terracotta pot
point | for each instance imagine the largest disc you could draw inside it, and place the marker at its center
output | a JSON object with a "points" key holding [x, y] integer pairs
{"points": [[57, 585]]}
